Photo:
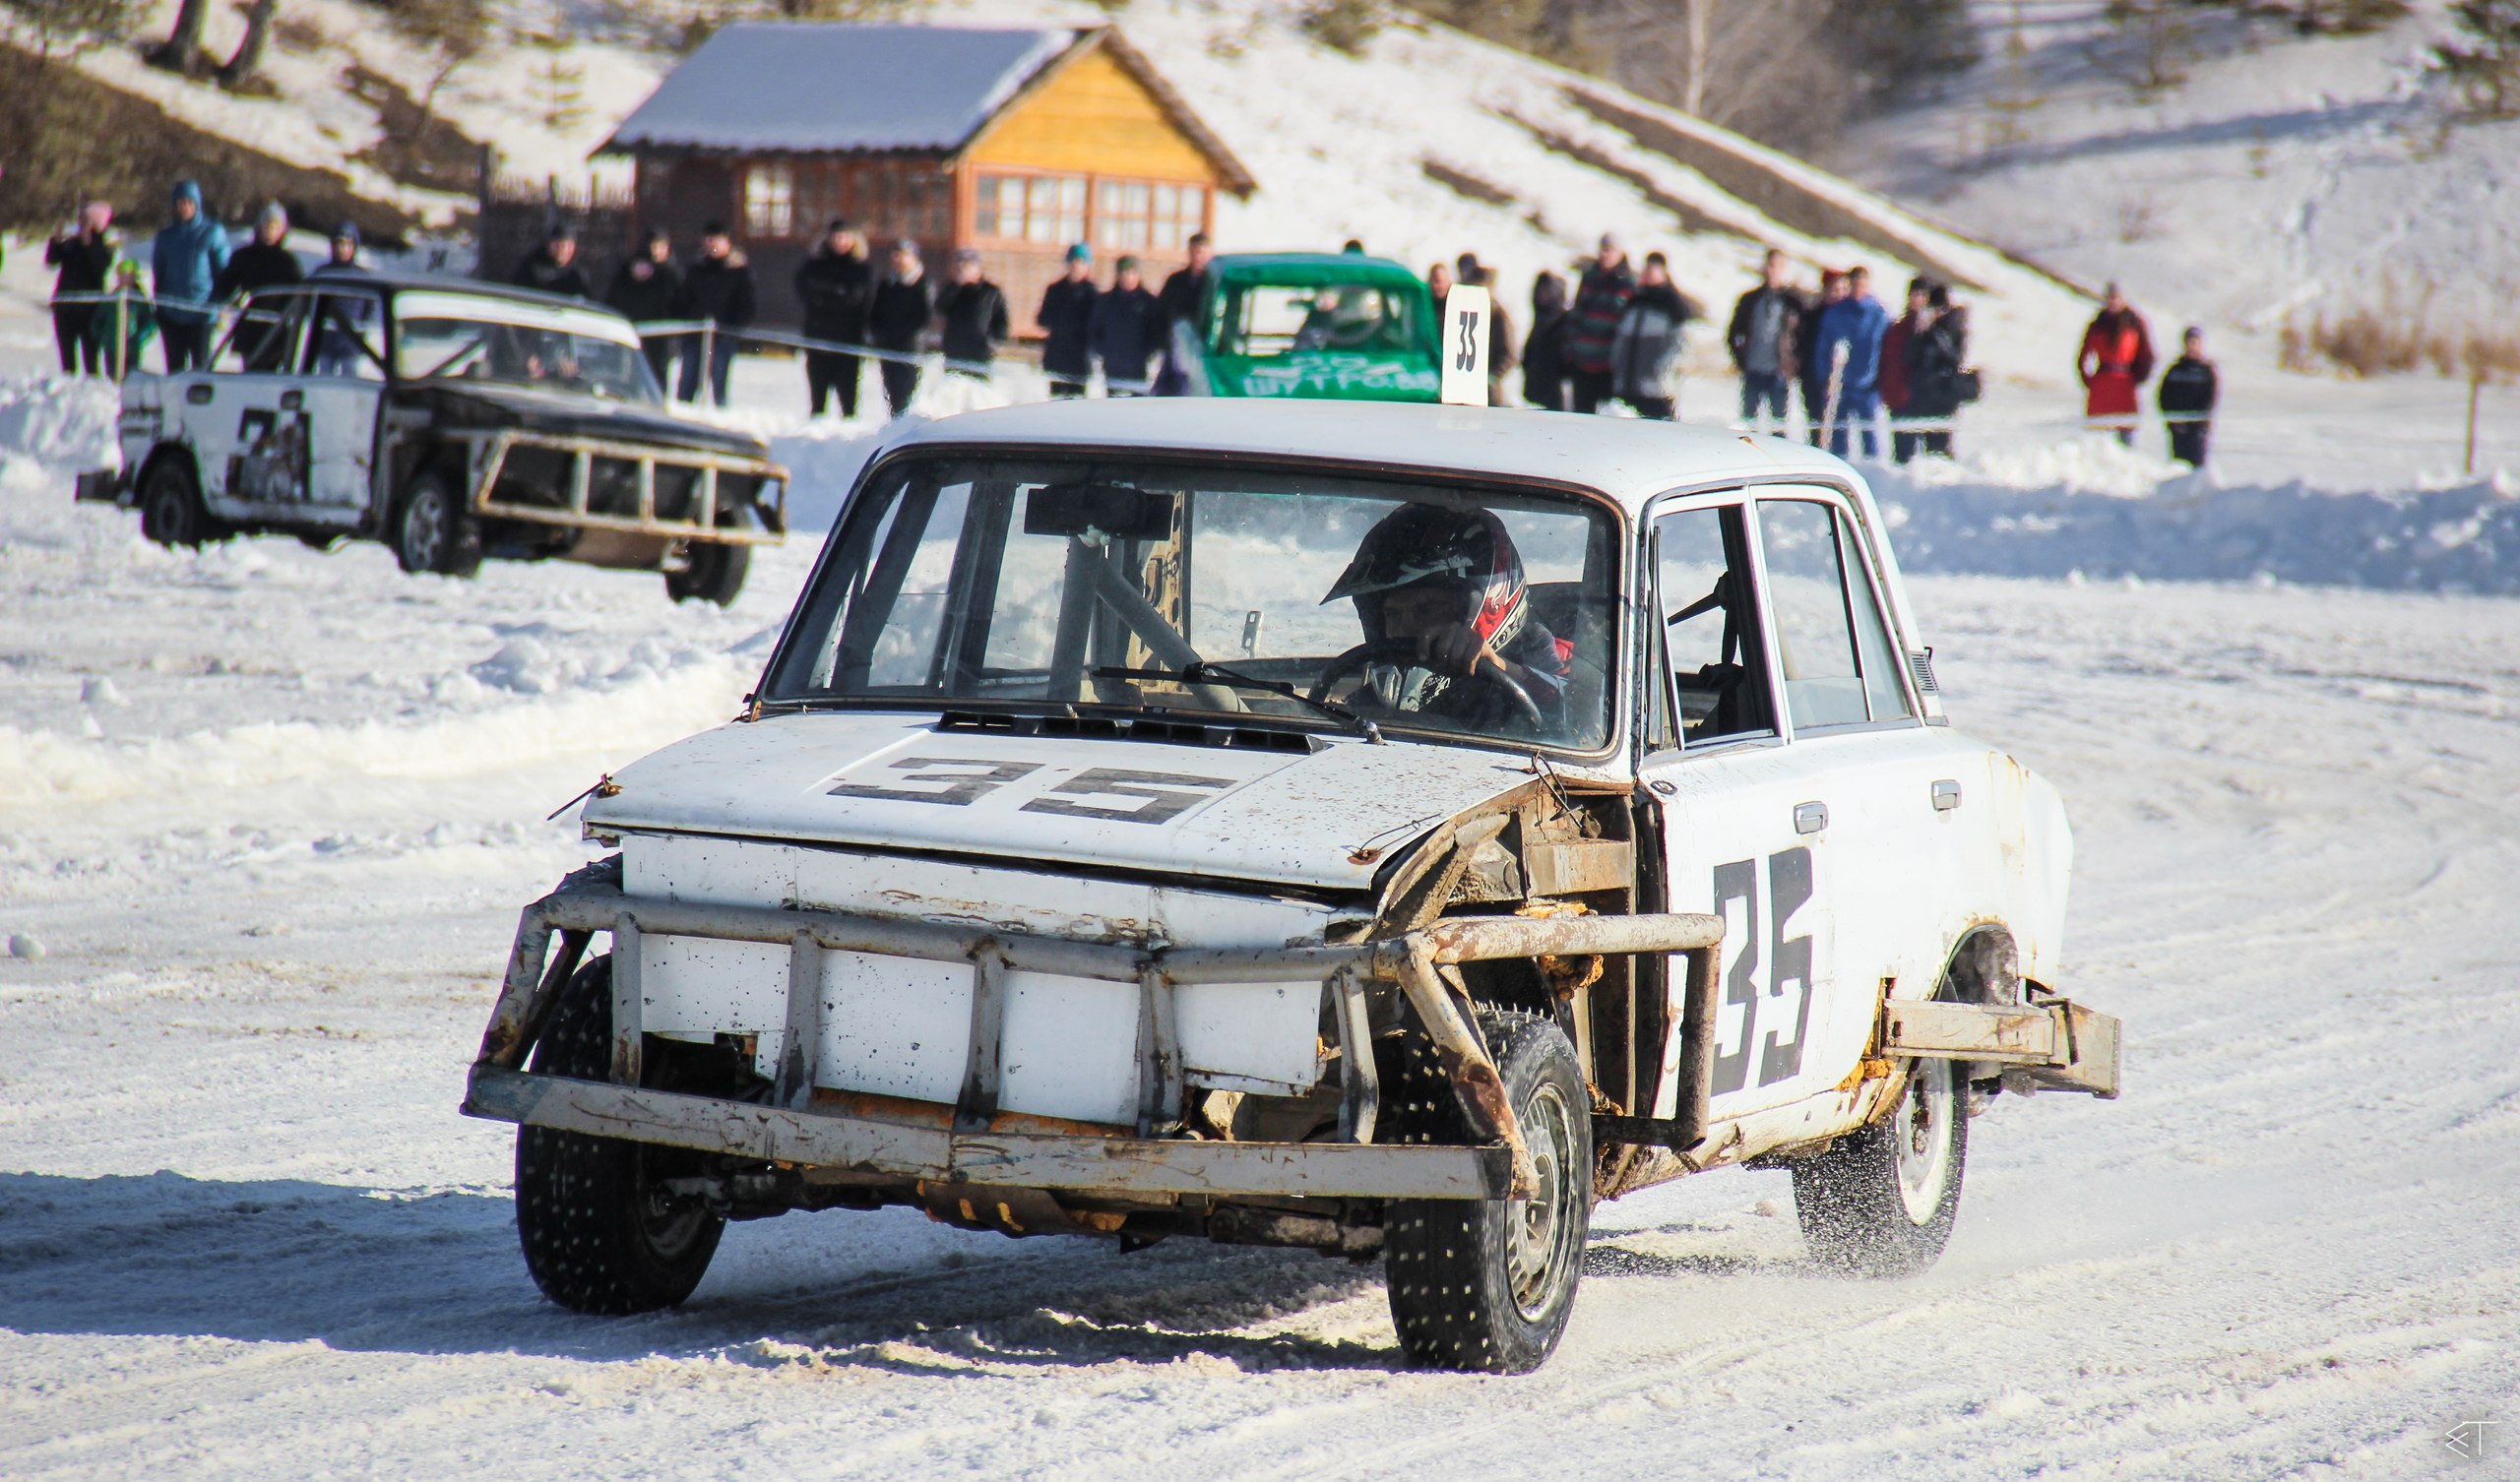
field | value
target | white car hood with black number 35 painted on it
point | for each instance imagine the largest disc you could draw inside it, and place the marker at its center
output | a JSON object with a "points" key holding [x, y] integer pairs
{"points": [[1319, 820]]}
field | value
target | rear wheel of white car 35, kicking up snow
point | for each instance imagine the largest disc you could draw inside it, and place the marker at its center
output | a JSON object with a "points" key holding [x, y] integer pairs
{"points": [[1881, 1201]]}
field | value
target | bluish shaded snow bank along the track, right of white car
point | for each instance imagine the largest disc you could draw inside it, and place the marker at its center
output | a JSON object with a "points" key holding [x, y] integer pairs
{"points": [[2105, 518]]}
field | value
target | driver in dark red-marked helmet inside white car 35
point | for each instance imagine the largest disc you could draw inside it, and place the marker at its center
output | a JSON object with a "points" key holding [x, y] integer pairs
{"points": [[1448, 624]]}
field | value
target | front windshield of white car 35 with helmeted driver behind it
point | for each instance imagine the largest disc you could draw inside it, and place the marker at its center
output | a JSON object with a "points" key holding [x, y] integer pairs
{"points": [[1092, 586]]}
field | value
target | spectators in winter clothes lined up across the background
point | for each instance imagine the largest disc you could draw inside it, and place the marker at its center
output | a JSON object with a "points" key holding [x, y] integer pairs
{"points": [[1869, 382]]}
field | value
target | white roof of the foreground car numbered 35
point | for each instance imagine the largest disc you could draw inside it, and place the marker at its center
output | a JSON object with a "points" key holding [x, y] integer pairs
{"points": [[1629, 460]]}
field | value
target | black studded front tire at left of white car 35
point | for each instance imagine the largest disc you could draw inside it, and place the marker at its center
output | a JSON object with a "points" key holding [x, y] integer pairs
{"points": [[598, 1229]]}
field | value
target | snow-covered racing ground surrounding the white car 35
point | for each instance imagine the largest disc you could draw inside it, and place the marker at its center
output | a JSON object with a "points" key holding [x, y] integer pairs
{"points": [[268, 818]]}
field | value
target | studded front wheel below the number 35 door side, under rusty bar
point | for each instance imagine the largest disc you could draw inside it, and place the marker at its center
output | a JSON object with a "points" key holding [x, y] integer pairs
{"points": [[1488, 1284]]}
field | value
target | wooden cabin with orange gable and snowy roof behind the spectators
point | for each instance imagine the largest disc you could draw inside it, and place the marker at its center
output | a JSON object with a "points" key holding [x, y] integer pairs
{"points": [[1014, 142]]}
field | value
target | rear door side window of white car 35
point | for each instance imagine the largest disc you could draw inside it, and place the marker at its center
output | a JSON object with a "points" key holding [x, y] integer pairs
{"points": [[1831, 641]]}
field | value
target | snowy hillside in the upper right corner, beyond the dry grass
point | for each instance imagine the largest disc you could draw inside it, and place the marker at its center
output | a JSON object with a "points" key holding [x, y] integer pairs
{"points": [[2284, 175]]}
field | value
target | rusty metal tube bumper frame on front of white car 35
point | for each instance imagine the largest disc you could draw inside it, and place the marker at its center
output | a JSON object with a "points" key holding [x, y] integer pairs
{"points": [[790, 1130]]}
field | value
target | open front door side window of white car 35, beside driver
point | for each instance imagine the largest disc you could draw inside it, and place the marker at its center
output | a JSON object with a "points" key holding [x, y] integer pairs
{"points": [[1712, 649]]}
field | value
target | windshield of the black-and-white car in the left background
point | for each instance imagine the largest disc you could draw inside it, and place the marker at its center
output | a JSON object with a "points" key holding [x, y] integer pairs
{"points": [[447, 336]]}
